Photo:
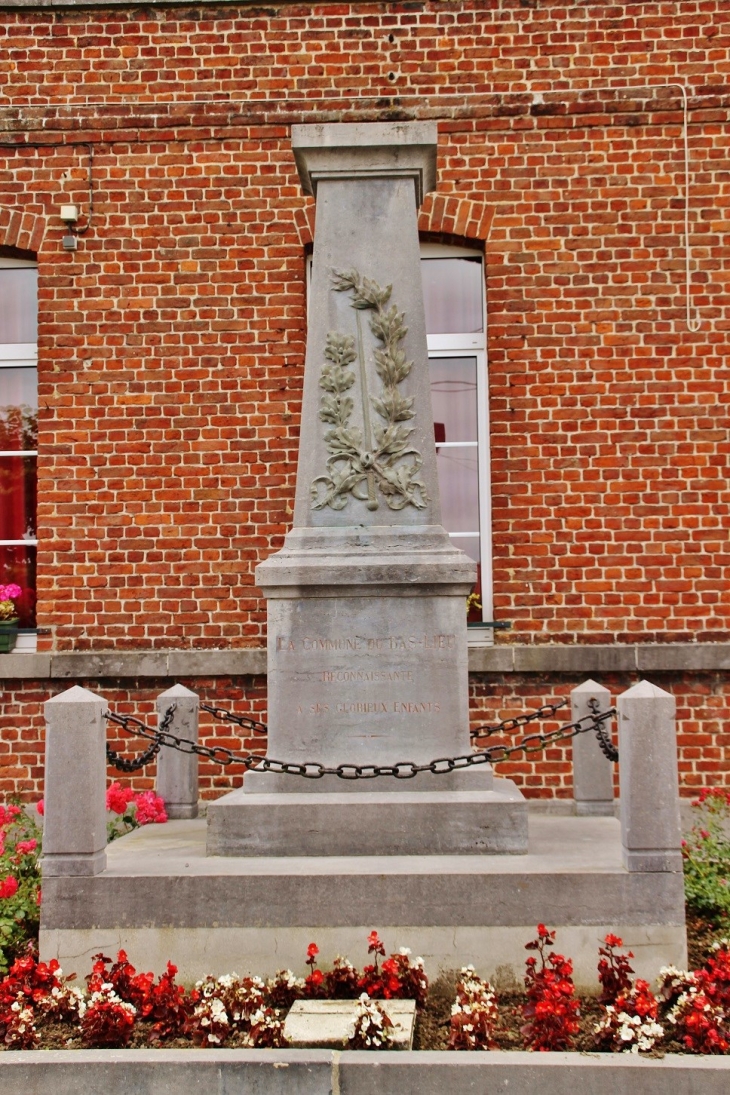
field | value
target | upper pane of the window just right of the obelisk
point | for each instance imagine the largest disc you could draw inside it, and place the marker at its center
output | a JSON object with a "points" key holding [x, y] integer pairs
{"points": [[453, 296]]}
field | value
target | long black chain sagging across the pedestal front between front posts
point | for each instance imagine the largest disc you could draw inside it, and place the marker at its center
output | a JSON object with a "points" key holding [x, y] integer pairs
{"points": [[403, 770]]}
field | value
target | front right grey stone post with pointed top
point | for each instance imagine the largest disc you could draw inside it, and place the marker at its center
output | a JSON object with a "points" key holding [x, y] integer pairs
{"points": [[651, 827]]}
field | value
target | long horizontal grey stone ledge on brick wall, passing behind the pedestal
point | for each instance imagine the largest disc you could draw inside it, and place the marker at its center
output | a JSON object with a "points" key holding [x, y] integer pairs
{"points": [[518, 659]]}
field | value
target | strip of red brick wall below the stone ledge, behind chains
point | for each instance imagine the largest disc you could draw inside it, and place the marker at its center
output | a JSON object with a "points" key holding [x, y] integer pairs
{"points": [[703, 729]]}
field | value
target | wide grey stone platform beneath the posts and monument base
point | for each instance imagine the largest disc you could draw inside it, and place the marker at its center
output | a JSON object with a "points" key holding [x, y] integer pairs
{"points": [[161, 898]]}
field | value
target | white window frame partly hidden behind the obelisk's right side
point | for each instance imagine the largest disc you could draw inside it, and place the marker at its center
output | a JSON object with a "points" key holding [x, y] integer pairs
{"points": [[473, 345]]}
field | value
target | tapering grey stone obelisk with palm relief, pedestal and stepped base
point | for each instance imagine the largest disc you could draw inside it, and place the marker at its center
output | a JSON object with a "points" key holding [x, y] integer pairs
{"points": [[367, 620]]}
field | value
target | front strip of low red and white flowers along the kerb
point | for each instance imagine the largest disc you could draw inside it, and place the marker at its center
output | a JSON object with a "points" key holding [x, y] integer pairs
{"points": [[690, 1013]]}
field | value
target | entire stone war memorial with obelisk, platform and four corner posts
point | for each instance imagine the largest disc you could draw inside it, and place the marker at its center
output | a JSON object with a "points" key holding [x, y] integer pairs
{"points": [[368, 681]]}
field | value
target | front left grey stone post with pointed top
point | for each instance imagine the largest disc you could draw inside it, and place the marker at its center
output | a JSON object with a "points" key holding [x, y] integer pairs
{"points": [[75, 827]]}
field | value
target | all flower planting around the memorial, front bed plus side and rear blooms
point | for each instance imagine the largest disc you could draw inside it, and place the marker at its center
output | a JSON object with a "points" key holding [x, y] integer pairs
{"points": [[687, 1013]]}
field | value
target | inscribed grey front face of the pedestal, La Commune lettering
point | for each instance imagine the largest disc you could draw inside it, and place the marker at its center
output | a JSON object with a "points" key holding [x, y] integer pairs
{"points": [[357, 691]]}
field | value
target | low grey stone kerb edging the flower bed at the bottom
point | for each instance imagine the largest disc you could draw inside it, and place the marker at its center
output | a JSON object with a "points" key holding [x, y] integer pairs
{"points": [[323, 1073]]}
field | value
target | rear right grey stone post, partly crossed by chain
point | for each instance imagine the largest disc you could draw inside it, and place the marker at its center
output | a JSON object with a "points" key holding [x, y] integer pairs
{"points": [[593, 774]]}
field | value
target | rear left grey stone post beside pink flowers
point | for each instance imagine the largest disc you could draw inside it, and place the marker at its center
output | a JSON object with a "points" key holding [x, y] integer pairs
{"points": [[178, 774]]}
